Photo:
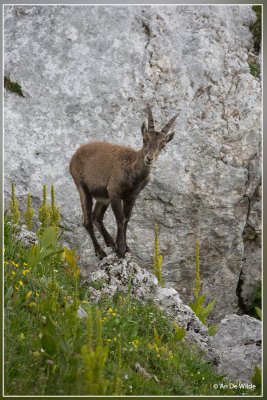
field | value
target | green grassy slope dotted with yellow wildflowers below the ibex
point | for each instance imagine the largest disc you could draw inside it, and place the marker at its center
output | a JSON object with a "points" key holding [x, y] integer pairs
{"points": [[45, 338]]}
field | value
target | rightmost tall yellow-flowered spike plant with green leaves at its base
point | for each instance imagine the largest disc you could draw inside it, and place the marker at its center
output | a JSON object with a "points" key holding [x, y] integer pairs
{"points": [[197, 306]]}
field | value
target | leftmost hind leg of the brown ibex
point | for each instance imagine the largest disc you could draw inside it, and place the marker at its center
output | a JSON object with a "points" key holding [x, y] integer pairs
{"points": [[87, 205]]}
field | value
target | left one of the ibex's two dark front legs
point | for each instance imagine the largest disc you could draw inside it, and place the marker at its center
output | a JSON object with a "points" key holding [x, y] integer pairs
{"points": [[116, 206]]}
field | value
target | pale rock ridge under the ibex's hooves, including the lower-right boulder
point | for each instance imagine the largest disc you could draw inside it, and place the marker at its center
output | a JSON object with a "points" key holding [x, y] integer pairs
{"points": [[235, 348]]}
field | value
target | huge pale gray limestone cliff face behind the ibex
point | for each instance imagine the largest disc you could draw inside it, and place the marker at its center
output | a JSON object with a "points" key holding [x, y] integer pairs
{"points": [[87, 72]]}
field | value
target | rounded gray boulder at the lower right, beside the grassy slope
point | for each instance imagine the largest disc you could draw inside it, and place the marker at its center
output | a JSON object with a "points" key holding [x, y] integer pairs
{"points": [[238, 342]]}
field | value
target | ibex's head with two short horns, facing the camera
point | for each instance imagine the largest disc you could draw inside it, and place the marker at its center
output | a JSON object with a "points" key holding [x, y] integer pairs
{"points": [[153, 141]]}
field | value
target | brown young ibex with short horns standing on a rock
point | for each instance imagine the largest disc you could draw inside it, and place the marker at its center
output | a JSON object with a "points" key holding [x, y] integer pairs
{"points": [[113, 174]]}
